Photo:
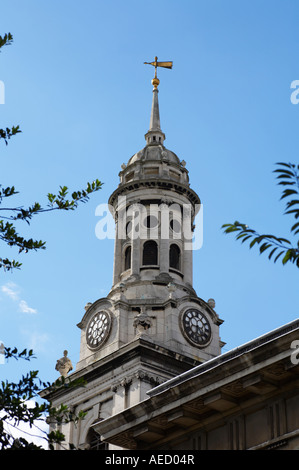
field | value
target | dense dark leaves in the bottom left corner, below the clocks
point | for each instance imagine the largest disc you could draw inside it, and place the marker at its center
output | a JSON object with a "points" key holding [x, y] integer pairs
{"points": [[15, 400]]}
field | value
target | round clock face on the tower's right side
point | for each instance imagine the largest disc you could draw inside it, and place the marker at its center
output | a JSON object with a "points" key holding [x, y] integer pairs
{"points": [[196, 327]]}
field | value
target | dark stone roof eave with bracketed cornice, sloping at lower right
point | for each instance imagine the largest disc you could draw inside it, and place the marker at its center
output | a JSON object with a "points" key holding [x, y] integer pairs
{"points": [[207, 393]]}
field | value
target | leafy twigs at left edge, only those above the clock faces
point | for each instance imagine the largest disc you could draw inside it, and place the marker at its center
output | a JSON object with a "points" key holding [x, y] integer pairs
{"points": [[10, 215]]}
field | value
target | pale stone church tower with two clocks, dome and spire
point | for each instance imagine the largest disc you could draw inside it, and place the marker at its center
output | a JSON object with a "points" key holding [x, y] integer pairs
{"points": [[152, 326]]}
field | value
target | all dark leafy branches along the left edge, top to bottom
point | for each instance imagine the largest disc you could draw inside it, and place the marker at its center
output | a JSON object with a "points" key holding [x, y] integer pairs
{"points": [[16, 398]]}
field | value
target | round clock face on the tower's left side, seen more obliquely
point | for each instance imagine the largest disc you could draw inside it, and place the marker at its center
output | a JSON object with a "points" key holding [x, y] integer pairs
{"points": [[98, 329]]}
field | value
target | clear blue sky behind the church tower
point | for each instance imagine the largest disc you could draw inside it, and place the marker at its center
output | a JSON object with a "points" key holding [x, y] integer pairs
{"points": [[76, 84]]}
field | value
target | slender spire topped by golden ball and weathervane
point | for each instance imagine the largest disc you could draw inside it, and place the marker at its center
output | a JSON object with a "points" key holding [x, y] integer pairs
{"points": [[155, 134]]}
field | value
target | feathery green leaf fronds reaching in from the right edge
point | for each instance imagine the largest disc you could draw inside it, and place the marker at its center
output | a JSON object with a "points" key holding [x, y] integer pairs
{"points": [[288, 176]]}
